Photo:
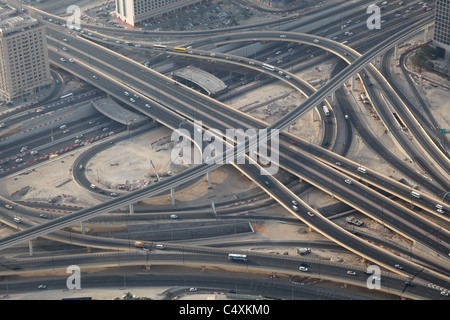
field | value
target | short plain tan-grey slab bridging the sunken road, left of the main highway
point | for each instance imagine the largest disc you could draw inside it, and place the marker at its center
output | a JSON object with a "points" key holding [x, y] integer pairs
{"points": [[116, 112]]}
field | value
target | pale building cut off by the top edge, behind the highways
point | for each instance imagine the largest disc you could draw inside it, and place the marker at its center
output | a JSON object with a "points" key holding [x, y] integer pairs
{"points": [[135, 12]]}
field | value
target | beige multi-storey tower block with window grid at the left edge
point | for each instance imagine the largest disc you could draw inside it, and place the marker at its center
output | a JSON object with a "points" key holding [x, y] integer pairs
{"points": [[24, 63]]}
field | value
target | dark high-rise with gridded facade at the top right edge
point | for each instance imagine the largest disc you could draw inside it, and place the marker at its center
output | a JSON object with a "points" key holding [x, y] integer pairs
{"points": [[442, 26]]}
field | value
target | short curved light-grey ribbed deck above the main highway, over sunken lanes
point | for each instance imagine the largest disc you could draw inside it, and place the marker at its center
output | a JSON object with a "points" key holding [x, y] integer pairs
{"points": [[205, 80]]}
